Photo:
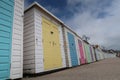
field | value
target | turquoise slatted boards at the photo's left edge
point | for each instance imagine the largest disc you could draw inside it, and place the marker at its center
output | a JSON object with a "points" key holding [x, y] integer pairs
{"points": [[6, 22]]}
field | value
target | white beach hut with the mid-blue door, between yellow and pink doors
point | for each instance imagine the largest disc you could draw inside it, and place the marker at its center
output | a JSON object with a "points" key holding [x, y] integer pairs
{"points": [[72, 57]]}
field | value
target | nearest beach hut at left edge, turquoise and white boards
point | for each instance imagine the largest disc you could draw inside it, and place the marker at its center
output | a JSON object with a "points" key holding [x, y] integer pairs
{"points": [[11, 39]]}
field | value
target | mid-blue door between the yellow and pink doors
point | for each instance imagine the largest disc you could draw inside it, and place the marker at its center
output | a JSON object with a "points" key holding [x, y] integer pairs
{"points": [[72, 47]]}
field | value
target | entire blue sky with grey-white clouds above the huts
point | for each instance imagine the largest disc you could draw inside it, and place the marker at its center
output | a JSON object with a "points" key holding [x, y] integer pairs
{"points": [[97, 19]]}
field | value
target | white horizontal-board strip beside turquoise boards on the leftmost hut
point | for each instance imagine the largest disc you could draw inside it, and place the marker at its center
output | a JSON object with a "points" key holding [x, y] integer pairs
{"points": [[17, 41]]}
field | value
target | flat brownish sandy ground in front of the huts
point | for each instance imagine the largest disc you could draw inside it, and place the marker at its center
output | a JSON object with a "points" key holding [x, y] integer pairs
{"points": [[108, 69]]}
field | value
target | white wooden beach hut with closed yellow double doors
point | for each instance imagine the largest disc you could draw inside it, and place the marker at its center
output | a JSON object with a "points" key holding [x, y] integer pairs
{"points": [[43, 41]]}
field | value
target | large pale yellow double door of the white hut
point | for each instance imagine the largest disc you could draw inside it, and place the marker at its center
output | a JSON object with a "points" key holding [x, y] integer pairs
{"points": [[51, 45]]}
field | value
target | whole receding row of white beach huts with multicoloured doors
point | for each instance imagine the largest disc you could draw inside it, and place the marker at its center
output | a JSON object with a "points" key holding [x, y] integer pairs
{"points": [[35, 41]]}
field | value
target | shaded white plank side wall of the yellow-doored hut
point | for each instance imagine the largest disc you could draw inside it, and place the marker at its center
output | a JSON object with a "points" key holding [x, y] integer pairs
{"points": [[29, 42]]}
